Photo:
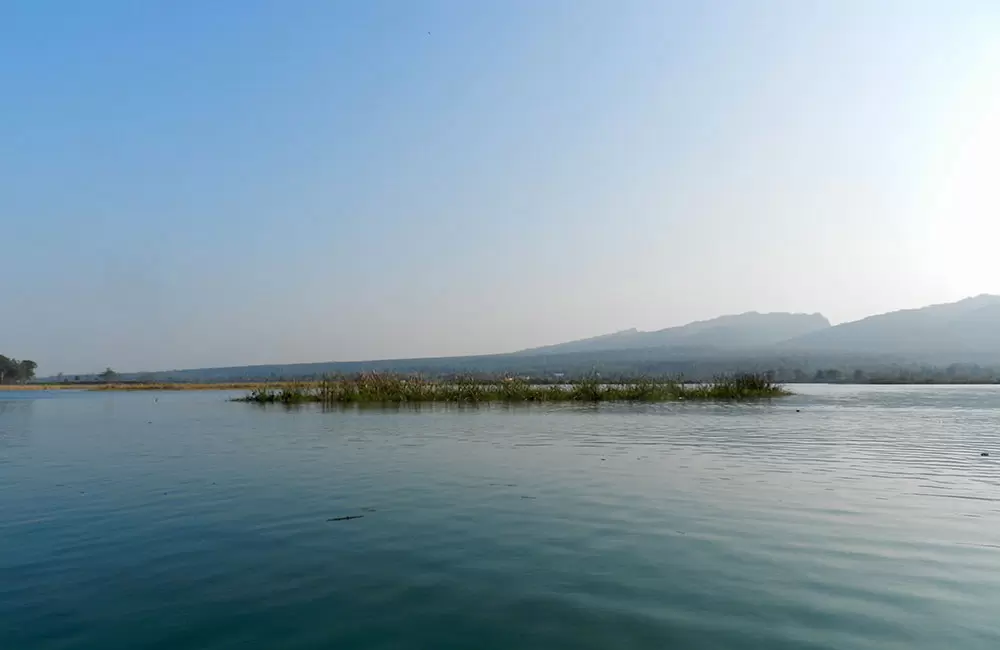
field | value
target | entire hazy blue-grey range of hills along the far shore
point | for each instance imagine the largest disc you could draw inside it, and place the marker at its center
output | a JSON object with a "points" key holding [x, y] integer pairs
{"points": [[964, 332]]}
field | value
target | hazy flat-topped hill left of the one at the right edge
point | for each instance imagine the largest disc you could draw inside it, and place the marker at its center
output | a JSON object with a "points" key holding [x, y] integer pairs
{"points": [[749, 330]]}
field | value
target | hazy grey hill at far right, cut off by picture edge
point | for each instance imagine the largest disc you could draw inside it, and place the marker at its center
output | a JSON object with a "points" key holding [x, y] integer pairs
{"points": [[963, 330]]}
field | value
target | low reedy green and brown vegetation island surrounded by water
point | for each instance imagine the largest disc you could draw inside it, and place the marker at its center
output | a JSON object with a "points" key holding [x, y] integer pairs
{"points": [[394, 389]]}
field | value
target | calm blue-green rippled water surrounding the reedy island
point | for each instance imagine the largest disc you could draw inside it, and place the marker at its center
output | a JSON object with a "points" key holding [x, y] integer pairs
{"points": [[179, 520]]}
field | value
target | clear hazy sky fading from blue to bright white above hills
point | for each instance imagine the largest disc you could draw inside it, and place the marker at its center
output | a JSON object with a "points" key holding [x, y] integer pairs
{"points": [[193, 183]]}
